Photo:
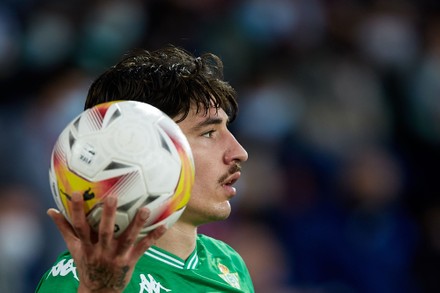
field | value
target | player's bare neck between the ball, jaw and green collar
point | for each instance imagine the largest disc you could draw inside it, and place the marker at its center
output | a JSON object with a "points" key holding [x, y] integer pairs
{"points": [[179, 240]]}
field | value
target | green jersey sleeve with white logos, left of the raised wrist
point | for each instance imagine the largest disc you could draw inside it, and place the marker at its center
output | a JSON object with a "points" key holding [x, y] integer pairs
{"points": [[61, 277]]}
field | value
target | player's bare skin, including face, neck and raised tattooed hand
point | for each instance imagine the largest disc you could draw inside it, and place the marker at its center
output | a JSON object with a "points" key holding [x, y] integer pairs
{"points": [[105, 263]]}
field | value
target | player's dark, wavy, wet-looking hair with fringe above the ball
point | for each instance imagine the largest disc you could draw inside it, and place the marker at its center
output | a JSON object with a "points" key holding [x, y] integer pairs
{"points": [[171, 79]]}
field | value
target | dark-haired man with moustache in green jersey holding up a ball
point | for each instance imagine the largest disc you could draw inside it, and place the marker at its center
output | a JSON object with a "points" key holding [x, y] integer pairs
{"points": [[191, 91]]}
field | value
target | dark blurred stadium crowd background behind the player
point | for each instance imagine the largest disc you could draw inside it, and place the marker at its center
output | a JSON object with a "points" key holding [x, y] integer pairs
{"points": [[339, 111]]}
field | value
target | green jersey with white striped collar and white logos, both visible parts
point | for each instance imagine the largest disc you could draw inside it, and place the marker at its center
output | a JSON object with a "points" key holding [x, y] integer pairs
{"points": [[212, 267]]}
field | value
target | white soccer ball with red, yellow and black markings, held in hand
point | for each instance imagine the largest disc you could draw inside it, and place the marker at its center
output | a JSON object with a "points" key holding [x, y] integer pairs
{"points": [[127, 148]]}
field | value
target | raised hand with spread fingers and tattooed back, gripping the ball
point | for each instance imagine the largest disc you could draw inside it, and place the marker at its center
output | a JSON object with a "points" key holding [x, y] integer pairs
{"points": [[103, 263]]}
